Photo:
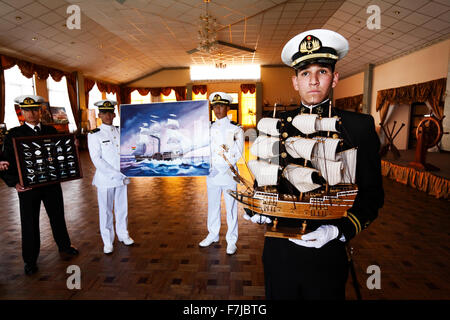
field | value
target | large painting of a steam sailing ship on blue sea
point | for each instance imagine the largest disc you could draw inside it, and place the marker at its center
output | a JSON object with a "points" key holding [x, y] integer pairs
{"points": [[165, 139]]}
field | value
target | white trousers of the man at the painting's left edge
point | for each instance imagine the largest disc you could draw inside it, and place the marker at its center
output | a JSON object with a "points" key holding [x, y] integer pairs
{"points": [[109, 199]]}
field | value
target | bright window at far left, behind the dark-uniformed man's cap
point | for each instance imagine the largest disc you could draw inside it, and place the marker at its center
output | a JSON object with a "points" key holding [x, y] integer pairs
{"points": [[16, 84]]}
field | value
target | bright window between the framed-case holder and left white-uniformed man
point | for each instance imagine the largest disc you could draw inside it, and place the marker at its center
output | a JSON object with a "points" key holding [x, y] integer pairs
{"points": [[59, 97]]}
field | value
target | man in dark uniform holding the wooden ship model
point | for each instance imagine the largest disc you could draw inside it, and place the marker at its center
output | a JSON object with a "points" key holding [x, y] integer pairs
{"points": [[316, 267]]}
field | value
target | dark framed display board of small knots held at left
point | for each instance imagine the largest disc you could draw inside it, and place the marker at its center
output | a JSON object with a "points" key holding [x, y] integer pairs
{"points": [[48, 159]]}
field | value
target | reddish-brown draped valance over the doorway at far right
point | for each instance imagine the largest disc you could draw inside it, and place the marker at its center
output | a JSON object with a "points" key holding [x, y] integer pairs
{"points": [[431, 91]]}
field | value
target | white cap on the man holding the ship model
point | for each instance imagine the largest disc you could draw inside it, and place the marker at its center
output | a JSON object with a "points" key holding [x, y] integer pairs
{"points": [[314, 46]]}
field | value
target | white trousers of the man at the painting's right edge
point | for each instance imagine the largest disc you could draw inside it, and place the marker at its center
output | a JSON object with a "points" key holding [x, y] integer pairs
{"points": [[214, 199]]}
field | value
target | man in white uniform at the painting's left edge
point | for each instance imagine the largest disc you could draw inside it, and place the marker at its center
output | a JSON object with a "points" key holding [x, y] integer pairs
{"points": [[104, 144]]}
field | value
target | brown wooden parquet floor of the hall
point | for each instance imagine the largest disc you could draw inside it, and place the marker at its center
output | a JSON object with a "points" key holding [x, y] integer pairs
{"points": [[167, 218]]}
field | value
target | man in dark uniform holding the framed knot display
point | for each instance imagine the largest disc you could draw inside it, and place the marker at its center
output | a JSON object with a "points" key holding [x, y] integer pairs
{"points": [[30, 198]]}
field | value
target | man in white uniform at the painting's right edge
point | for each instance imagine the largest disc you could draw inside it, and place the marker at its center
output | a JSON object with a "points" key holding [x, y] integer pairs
{"points": [[228, 138]]}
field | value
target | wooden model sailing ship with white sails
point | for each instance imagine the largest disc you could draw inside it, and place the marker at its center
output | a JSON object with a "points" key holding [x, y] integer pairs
{"points": [[329, 200]]}
